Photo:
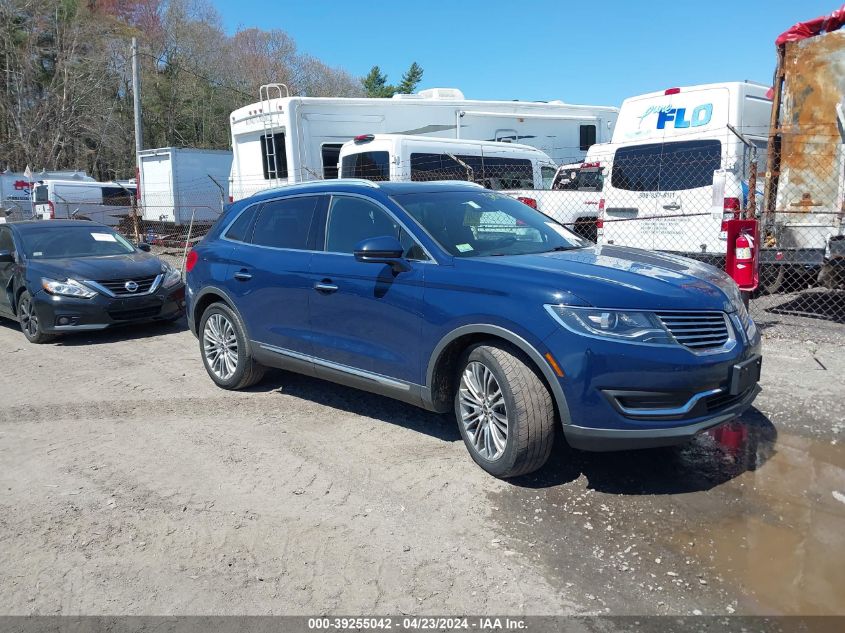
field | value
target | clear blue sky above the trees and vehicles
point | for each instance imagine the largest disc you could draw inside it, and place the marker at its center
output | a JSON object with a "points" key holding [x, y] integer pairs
{"points": [[577, 51]]}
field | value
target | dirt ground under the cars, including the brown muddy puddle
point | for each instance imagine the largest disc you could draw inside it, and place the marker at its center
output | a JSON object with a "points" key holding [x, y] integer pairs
{"points": [[131, 485]]}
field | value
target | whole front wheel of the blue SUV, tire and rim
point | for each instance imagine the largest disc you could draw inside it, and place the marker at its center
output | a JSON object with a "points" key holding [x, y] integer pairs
{"points": [[505, 412]]}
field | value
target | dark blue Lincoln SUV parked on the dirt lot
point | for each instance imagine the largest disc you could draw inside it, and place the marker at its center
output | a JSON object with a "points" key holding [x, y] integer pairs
{"points": [[450, 296]]}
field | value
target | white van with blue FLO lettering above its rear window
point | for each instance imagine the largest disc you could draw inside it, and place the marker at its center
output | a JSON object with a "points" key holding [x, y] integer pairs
{"points": [[677, 171]]}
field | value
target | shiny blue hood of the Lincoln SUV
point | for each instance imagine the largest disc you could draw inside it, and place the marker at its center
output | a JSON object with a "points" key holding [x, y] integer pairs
{"points": [[620, 277]]}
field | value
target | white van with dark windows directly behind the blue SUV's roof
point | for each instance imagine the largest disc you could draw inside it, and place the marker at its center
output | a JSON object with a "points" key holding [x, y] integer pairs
{"points": [[402, 157]]}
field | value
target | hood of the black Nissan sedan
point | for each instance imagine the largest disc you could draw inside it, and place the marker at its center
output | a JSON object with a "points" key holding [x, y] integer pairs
{"points": [[129, 266]]}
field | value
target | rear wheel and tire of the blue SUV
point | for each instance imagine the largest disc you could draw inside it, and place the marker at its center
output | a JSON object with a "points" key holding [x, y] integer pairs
{"points": [[225, 349]]}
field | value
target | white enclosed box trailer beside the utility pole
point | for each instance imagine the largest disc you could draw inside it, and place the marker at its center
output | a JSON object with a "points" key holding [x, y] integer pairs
{"points": [[178, 183]]}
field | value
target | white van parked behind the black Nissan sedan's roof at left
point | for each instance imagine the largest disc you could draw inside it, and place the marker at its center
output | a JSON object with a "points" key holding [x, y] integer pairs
{"points": [[104, 202]]}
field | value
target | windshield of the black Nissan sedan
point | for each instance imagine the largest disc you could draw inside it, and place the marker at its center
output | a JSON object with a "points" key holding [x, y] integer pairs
{"points": [[55, 242]]}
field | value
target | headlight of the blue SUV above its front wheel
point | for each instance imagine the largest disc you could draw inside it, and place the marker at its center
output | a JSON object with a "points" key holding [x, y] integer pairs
{"points": [[630, 326]]}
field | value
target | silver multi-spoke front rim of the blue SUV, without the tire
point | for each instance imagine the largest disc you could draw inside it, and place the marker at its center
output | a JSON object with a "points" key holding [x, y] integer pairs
{"points": [[483, 411]]}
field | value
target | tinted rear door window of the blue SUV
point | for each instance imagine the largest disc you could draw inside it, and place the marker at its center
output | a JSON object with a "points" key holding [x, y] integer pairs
{"points": [[285, 223]]}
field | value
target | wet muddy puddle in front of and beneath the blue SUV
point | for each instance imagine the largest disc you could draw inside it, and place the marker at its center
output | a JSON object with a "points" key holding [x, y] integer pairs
{"points": [[742, 520]]}
